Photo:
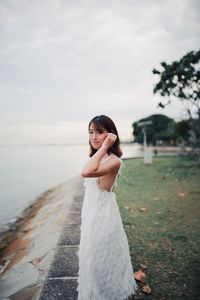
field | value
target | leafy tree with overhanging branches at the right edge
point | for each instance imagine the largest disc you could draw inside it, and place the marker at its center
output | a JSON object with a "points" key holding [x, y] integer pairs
{"points": [[181, 80]]}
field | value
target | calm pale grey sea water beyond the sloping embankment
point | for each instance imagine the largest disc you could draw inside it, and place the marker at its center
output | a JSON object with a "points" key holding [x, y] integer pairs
{"points": [[28, 171]]}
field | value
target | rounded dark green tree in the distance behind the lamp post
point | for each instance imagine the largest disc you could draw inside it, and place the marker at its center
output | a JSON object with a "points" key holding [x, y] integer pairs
{"points": [[162, 128]]}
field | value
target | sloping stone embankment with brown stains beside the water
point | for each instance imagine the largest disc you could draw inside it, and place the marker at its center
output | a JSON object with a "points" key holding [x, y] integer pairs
{"points": [[28, 246]]}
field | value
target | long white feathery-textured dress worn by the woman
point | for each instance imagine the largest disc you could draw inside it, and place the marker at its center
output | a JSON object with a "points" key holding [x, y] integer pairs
{"points": [[105, 269]]}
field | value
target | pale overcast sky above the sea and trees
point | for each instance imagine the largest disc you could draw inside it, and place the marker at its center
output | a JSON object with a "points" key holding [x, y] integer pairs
{"points": [[64, 62]]}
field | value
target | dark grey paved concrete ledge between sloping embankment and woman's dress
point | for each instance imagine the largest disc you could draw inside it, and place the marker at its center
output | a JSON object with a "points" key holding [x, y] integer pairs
{"points": [[61, 281]]}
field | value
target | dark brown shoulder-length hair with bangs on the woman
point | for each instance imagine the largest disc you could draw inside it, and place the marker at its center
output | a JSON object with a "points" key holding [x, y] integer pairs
{"points": [[104, 122]]}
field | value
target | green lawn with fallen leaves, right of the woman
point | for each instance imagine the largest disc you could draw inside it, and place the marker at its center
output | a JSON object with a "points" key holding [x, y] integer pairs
{"points": [[166, 237]]}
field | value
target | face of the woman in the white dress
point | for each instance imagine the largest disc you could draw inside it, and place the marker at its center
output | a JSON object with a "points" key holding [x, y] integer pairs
{"points": [[96, 137]]}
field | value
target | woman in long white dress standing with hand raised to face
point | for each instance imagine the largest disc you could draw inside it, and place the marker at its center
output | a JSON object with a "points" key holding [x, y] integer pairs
{"points": [[105, 269]]}
